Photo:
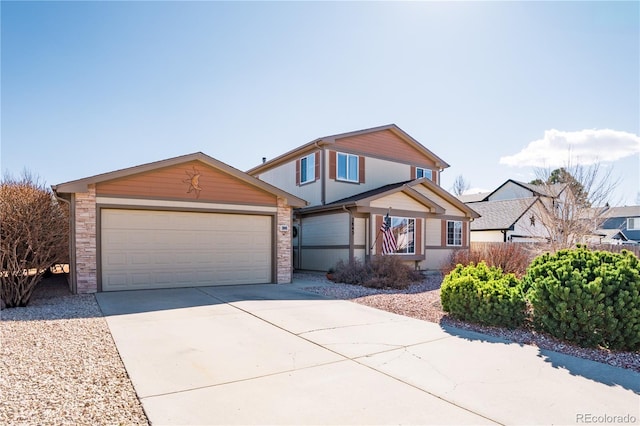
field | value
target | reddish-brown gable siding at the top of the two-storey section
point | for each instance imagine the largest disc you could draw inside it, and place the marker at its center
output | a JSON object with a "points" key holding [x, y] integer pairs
{"points": [[387, 144]]}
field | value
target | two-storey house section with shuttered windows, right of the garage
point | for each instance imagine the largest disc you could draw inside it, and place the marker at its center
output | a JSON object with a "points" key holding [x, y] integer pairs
{"points": [[351, 182]]}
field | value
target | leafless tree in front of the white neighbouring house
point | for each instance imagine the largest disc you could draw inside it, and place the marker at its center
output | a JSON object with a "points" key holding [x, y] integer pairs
{"points": [[575, 199]]}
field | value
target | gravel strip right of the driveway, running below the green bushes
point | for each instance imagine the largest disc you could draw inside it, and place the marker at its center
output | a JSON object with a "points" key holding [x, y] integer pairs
{"points": [[422, 301]]}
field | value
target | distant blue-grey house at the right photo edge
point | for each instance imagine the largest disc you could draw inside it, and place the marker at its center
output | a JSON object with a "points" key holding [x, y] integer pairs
{"points": [[620, 225]]}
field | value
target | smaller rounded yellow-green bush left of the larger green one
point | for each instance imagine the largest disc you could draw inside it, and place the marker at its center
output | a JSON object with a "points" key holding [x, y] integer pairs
{"points": [[483, 294]]}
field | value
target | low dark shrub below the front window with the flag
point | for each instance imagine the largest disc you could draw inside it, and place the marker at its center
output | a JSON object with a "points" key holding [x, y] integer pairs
{"points": [[381, 272]]}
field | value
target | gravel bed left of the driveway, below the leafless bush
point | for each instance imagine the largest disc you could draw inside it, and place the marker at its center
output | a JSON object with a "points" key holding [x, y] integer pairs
{"points": [[59, 364]]}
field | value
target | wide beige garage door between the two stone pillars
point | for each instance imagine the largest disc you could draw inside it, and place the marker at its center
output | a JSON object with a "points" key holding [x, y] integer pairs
{"points": [[158, 249]]}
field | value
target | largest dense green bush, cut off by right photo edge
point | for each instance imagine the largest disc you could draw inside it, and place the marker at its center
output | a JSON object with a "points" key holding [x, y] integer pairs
{"points": [[588, 297]]}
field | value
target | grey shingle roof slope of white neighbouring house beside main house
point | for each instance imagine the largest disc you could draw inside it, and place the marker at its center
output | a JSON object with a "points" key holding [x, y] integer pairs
{"points": [[501, 214]]}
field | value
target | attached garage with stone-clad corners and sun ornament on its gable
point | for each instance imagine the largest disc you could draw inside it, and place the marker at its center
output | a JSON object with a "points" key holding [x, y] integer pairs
{"points": [[181, 222]]}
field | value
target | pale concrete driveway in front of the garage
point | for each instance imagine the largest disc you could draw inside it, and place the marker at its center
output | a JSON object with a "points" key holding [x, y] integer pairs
{"points": [[275, 354]]}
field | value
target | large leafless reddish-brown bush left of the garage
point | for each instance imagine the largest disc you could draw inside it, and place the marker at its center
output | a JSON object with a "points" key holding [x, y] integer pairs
{"points": [[34, 232]]}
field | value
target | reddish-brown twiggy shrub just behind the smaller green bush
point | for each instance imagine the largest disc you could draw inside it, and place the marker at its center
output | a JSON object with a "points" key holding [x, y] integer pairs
{"points": [[510, 257]]}
